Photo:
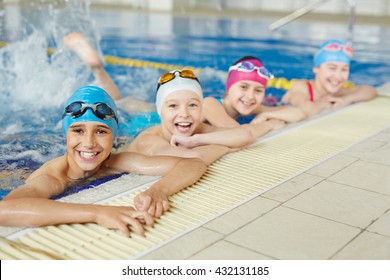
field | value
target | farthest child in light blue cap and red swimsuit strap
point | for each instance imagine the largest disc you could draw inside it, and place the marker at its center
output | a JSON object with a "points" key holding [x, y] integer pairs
{"points": [[331, 70]]}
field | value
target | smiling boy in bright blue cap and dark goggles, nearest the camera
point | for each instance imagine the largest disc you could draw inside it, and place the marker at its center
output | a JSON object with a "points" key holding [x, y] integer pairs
{"points": [[90, 123]]}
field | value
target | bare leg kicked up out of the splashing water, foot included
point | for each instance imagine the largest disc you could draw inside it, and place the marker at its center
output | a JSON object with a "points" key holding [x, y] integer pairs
{"points": [[81, 47]]}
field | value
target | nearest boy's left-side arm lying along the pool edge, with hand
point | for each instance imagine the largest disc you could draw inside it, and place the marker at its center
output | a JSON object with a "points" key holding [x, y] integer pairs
{"points": [[29, 205]]}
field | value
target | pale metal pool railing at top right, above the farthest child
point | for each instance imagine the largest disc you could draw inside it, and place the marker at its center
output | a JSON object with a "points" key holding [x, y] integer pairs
{"points": [[308, 8]]}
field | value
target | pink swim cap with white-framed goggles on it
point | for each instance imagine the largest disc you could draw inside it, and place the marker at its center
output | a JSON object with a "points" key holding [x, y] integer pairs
{"points": [[248, 70]]}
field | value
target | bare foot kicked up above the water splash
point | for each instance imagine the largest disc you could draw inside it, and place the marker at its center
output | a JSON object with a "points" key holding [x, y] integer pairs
{"points": [[80, 46]]}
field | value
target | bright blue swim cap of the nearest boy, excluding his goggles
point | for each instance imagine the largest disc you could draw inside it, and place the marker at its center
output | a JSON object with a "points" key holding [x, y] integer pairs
{"points": [[90, 95]]}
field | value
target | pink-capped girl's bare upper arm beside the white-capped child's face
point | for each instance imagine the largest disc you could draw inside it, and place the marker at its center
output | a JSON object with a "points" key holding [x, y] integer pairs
{"points": [[215, 114]]}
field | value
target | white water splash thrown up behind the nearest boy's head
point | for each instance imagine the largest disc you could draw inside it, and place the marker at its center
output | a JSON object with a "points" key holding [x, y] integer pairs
{"points": [[35, 84]]}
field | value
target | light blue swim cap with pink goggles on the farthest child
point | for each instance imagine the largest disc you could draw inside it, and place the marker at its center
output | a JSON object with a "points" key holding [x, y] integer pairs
{"points": [[333, 51]]}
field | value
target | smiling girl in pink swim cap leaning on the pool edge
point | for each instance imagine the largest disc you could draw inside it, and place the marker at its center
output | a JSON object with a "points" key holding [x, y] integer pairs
{"points": [[245, 89]]}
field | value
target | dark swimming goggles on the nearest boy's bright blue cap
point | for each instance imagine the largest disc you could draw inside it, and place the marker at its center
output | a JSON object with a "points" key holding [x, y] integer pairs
{"points": [[101, 110]]}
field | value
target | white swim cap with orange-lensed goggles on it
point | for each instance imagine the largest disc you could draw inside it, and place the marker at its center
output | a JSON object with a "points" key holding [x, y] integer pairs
{"points": [[176, 80]]}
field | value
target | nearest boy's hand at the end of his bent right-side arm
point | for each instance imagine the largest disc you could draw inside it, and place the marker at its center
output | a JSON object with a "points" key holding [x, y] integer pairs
{"points": [[155, 202]]}
